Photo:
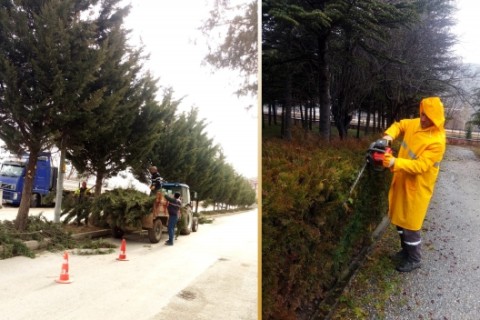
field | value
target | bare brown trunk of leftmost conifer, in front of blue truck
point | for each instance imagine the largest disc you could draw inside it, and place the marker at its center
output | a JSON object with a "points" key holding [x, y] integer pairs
{"points": [[22, 214]]}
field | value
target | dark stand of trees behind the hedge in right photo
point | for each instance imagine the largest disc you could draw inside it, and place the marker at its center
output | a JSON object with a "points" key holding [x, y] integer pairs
{"points": [[379, 57]]}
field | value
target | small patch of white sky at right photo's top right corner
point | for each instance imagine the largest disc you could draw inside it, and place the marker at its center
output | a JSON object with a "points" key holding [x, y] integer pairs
{"points": [[468, 30]]}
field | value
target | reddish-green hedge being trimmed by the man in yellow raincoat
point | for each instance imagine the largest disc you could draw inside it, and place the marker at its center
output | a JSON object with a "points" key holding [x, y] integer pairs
{"points": [[311, 229]]}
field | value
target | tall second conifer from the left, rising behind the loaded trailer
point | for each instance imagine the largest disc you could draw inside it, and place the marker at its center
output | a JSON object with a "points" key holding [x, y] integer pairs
{"points": [[128, 118]]}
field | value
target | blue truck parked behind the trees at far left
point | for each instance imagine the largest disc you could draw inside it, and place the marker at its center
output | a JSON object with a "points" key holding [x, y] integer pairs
{"points": [[12, 174]]}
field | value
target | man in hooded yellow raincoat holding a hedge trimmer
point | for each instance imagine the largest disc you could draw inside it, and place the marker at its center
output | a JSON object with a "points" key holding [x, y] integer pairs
{"points": [[415, 172]]}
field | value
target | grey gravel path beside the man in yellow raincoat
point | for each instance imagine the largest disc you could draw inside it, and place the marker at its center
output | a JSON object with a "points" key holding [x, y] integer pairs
{"points": [[448, 284]]}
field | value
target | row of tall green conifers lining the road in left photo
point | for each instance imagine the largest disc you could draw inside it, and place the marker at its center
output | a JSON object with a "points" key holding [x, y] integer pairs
{"points": [[69, 78]]}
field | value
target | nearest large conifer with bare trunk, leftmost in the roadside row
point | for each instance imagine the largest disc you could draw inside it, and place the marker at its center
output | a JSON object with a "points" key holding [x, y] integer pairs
{"points": [[46, 60]]}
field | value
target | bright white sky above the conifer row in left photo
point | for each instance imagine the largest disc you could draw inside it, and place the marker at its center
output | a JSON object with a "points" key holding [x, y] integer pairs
{"points": [[169, 31]]}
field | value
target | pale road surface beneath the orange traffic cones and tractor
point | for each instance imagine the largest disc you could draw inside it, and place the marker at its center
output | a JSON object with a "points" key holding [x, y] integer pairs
{"points": [[210, 274]]}
